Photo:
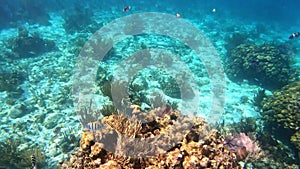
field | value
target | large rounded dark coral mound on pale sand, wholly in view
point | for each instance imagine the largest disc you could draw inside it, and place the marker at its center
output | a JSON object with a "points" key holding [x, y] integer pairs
{"points": [[269, 65]]}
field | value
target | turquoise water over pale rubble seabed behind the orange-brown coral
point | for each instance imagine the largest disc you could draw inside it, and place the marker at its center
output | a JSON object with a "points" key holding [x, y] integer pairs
{"points": [[58, 57]]}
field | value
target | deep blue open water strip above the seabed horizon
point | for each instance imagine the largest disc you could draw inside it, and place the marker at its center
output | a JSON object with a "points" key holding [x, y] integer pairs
{"points": [[284, 12]]}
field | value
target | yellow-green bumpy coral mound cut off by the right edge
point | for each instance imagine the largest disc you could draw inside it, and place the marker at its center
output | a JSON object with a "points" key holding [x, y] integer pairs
{"points": [[281, 111]]}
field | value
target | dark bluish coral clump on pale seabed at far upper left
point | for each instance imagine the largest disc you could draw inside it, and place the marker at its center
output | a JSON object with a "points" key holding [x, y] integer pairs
{"points": [[26, 45]]}
